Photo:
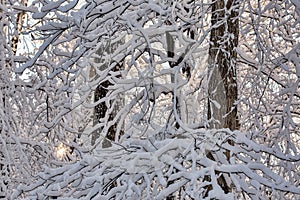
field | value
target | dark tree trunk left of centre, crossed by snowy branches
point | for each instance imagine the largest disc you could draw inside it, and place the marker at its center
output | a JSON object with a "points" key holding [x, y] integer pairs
{"points": [[102, 109]]}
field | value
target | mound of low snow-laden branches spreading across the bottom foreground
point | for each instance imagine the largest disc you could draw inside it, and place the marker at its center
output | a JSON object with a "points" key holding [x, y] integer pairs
{"points": [[180, 166]]}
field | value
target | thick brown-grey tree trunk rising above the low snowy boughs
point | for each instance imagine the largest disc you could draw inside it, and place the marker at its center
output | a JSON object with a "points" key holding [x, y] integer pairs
{"points": [[223, 93]]}
